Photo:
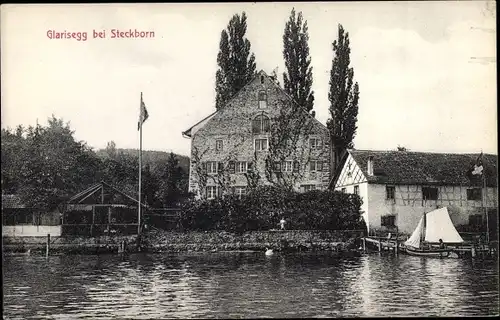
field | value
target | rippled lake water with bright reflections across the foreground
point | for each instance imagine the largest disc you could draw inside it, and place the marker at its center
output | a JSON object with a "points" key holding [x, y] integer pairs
{"points": [[245, 285]]}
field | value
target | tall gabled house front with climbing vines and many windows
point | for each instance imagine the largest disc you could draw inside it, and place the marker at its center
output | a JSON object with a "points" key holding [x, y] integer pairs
{"points": [[260, 137]]}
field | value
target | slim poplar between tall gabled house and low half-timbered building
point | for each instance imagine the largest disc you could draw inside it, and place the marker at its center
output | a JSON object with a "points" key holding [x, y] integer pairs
{"points": [[344, 98]]}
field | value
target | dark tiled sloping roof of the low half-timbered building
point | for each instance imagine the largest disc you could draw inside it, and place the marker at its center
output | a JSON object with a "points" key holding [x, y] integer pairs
{"points": [[406, 167]]}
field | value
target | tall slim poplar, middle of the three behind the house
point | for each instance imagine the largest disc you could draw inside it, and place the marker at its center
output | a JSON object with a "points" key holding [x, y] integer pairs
{"points": [[298, 76]]}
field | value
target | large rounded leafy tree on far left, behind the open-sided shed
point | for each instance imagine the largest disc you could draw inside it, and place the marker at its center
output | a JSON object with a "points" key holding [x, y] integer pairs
{"points": [[55, 166]]}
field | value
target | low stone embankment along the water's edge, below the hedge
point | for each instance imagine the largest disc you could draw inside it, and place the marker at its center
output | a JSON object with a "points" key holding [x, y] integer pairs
{"points": [[160, 241]]}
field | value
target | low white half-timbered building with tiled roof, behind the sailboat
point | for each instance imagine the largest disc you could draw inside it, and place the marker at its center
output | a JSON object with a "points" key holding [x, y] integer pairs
{"points": [[397, 187]]}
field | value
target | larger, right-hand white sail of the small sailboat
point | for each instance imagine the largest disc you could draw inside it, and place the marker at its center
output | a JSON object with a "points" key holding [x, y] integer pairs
{"points": [[439, 226]]}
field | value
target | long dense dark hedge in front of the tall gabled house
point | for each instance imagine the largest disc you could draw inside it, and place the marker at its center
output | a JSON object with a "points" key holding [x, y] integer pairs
{"points": [[262, 209]]}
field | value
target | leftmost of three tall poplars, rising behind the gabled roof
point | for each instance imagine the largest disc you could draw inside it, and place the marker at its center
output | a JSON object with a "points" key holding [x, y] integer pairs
{"points": [[236, 63]]}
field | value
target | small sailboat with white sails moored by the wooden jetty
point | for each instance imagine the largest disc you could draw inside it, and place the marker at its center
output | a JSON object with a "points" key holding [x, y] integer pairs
{"points": [[434, 226]]}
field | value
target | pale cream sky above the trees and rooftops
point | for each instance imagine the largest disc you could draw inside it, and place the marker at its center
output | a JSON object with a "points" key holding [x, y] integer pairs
{"points": [[426, 70]]}
